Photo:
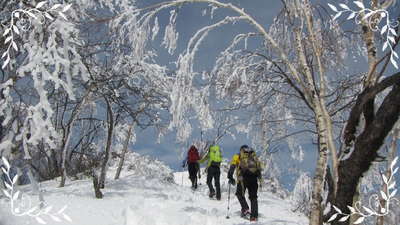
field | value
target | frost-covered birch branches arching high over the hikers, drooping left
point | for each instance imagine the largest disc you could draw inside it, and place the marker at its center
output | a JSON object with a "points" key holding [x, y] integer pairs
{"points": [[183, 91]]}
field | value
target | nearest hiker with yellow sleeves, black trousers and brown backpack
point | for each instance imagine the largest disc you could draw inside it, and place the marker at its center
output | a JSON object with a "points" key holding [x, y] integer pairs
{"points": [[248, 170]]}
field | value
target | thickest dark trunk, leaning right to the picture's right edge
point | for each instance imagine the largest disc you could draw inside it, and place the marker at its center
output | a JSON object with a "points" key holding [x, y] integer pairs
{"points": [[365, 150]]}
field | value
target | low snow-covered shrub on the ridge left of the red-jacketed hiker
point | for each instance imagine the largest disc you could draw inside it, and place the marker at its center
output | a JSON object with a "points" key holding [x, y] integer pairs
{"points": [[145, 166]]}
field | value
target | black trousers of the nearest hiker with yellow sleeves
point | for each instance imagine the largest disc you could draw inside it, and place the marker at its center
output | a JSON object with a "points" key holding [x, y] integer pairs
{"points": [[249, 183]]}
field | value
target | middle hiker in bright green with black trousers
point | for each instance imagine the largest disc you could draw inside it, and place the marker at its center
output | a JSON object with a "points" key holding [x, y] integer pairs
{"points": [[214, 158]]}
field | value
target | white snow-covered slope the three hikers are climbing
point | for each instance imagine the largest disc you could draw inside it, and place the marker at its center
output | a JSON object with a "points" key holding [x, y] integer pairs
{"points": [[134, 200]]}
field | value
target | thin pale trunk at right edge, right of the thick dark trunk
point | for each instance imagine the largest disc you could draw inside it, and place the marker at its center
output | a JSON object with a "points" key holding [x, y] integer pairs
{"points": [[392, 154]]}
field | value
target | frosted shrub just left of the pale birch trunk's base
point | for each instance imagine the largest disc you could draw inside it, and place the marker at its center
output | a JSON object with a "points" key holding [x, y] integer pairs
{"points": [[301, 195]]}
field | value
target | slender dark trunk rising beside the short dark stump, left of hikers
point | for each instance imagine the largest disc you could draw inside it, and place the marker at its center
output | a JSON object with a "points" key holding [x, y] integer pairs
{"points": [[110, 118]]}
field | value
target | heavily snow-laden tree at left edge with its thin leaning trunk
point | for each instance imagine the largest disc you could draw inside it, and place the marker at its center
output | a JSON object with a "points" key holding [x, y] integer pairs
{"points": [[37, 50]]}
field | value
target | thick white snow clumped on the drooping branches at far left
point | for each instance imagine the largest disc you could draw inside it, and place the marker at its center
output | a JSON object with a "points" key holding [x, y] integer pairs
{"points": [[49, 57]]}
